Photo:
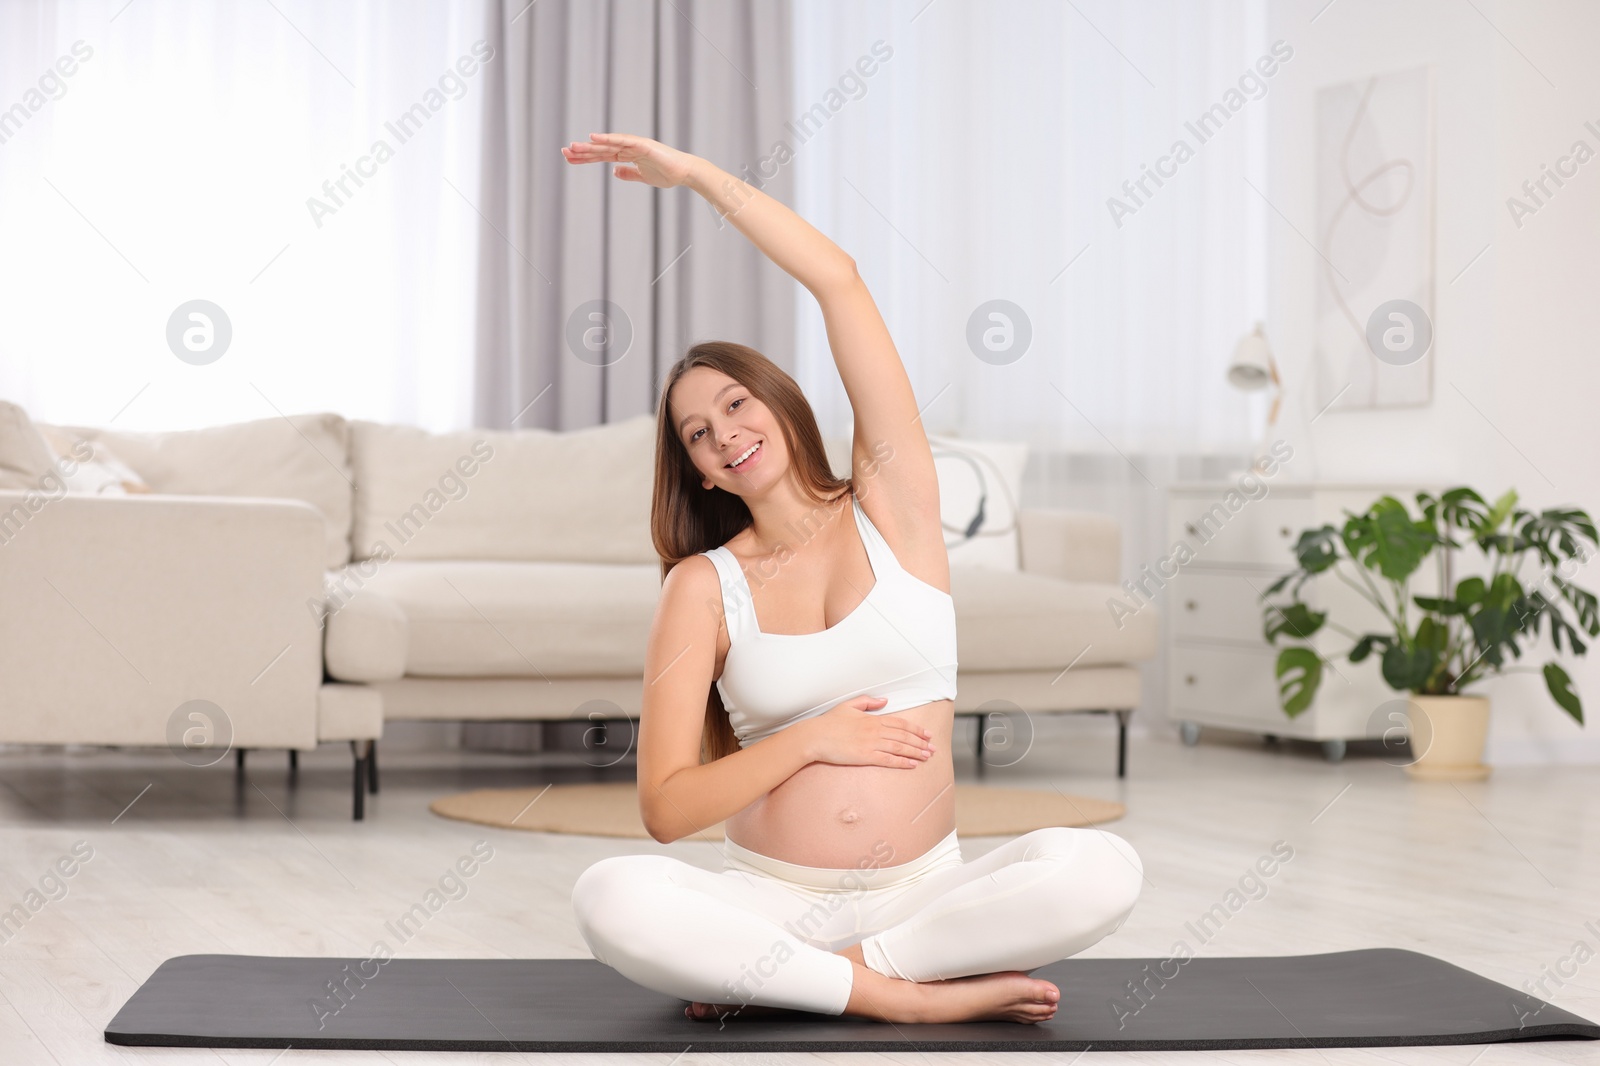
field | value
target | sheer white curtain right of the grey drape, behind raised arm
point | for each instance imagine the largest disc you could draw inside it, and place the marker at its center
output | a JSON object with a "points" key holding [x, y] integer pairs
{"points": [[977, 164]]}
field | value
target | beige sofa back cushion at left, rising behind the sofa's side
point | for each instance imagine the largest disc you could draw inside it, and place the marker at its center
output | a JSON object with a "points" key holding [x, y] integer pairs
{"points": [[302, 457]]}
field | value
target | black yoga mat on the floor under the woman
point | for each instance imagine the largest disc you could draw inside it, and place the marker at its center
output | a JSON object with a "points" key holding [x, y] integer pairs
{"points": [[1372, 998]]}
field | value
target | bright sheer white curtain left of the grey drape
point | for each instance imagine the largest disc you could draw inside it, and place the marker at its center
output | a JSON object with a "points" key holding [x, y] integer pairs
{"points": [[177, 164]]}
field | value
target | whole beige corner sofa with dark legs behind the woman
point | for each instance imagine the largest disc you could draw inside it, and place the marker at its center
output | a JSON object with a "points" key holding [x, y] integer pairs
{"points": [[316, 577]]}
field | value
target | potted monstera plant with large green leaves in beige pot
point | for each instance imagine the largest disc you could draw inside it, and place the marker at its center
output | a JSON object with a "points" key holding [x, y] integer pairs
{"points": [[1436, 647]]}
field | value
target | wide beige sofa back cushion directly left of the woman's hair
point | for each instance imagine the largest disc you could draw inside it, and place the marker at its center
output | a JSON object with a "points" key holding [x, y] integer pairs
{"points": [[530, 495]]}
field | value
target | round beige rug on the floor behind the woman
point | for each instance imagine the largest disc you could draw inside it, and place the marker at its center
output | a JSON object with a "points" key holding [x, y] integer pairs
{"points": [[610, 809]]}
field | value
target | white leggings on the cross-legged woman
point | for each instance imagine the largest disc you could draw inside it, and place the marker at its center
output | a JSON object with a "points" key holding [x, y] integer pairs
{"points": [[764, 931]]}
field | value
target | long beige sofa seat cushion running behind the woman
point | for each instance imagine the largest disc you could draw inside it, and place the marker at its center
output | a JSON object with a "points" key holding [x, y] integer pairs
{"points": [[593, 620]]}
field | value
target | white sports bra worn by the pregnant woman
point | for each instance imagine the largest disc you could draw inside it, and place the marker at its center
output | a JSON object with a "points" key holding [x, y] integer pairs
{"points": [[900, 643]]}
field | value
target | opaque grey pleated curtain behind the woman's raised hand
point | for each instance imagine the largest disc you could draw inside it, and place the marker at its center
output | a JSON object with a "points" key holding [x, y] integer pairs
{"points": [[591, 287]]}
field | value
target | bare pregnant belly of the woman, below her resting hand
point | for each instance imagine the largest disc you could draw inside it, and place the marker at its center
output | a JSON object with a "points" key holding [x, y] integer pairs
{"points": [[841, 817]]}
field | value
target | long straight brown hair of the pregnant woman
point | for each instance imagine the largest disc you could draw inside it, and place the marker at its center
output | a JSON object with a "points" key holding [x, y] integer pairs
{"points": [[686, 519]]}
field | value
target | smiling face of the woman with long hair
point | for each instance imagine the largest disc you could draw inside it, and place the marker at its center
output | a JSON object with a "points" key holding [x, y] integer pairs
{"points": [[719, 423]]}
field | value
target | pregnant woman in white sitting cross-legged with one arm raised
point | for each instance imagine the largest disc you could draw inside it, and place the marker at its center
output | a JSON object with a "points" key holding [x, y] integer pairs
{"points": [[820, 609]]}
